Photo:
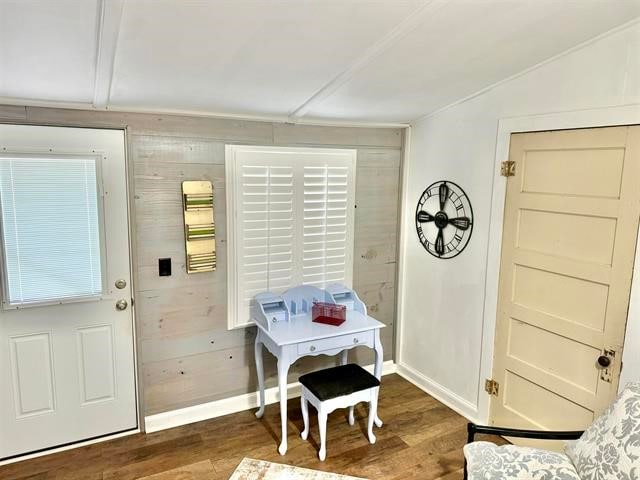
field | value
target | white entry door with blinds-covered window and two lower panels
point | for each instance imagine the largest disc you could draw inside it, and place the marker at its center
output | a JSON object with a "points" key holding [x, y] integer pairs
{"points": [[66, 344]]}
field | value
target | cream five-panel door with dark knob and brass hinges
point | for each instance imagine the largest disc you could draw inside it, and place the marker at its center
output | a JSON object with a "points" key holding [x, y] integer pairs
{"points": [[571, 222]]}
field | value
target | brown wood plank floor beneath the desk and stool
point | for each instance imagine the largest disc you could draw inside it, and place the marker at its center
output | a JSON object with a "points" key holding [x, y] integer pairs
{"points": [[420, 439]]}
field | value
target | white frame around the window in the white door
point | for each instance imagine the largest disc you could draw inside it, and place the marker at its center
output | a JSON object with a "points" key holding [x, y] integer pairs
{"points": [[97, 156]]}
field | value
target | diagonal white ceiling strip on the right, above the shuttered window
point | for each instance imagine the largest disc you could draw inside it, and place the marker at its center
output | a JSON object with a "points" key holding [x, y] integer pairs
{"points": [[413, 20]]}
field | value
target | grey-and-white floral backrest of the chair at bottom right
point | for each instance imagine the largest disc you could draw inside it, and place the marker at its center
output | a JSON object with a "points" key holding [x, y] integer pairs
{"points": [[610, 448]]}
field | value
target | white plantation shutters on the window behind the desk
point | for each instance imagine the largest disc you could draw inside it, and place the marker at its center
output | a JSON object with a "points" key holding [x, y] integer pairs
{"points": [[290, 221]]}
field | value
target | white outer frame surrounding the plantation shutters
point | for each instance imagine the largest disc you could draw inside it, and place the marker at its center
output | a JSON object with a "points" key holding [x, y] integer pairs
{"points": [[231, 183]]}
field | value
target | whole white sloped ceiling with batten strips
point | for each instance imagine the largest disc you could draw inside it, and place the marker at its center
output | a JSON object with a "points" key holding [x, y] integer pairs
{"points": [[352, 60]]}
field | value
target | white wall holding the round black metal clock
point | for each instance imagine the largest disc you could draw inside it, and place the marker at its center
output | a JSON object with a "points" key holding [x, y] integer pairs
{"points": [[442, 301]]}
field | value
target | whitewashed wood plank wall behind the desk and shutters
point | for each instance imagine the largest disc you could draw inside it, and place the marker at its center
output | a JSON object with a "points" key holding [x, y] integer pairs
{"points": [[187, 355]]}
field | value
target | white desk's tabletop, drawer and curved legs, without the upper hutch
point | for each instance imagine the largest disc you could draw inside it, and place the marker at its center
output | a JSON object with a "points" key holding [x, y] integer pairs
{"points": [[300, 337]]}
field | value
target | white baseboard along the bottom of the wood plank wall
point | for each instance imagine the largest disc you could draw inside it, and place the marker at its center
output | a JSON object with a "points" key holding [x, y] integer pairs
{"points": [[218, 408]]}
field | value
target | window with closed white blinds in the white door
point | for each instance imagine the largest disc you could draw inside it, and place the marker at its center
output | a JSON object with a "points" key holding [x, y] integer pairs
{"points": [[51, 233]]}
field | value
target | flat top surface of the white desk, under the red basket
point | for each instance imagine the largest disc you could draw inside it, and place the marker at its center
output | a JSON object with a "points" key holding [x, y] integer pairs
{"points": [[301, 329]]}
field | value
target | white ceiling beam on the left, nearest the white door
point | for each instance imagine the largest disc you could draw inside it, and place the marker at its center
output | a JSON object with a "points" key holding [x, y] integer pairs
{"points": [[109, 18]]}
